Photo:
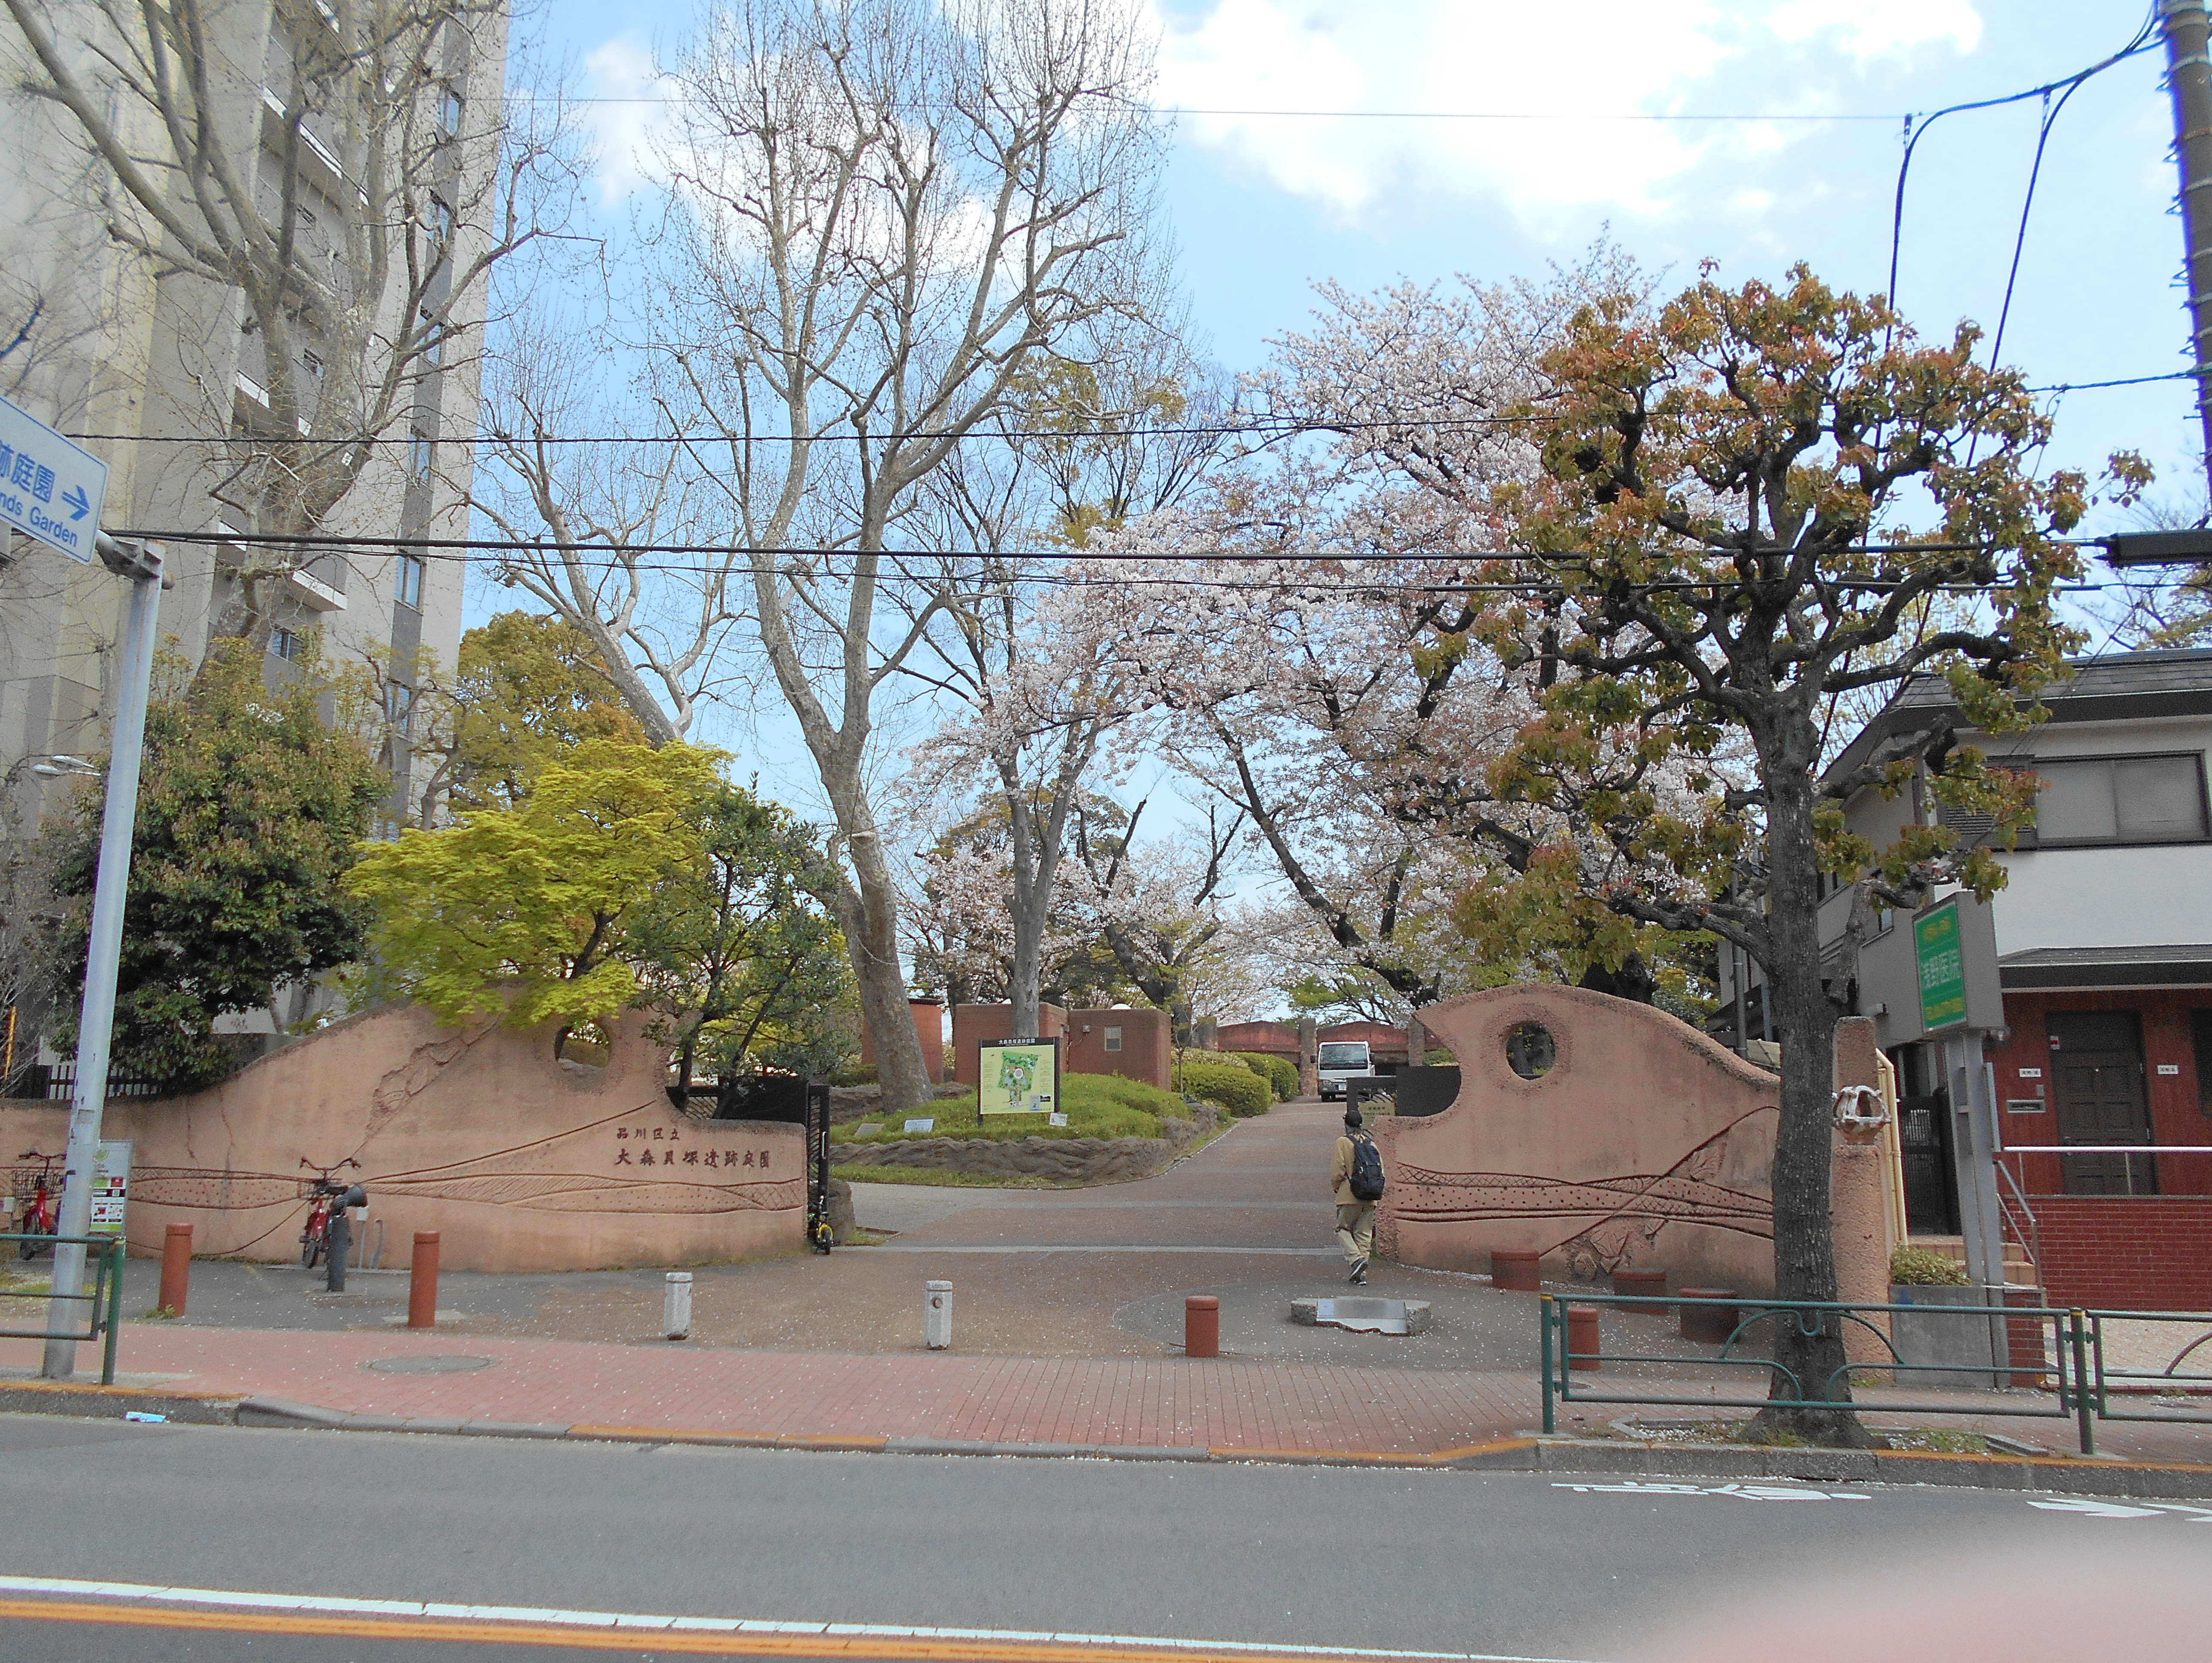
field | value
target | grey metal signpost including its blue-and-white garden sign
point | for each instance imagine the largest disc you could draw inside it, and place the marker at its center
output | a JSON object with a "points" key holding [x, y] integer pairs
{"points": [[54, 490]]}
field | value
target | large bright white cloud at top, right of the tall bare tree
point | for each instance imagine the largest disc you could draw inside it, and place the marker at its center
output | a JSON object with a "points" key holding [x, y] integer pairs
{"points": [[1552, 81]]}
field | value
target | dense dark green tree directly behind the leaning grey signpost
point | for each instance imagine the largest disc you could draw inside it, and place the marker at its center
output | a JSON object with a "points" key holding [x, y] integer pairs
{"points": [[249, 819]]}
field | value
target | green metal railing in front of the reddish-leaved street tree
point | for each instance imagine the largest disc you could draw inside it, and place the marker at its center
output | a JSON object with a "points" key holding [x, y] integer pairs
{"points": [[2067, 1361]]}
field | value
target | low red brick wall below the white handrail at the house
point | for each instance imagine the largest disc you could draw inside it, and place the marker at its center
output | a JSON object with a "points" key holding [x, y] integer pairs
{"points": [[2127, 1253]]}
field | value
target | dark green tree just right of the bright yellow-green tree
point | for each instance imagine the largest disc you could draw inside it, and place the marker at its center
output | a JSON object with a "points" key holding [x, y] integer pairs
{"points": [[740, 961]]}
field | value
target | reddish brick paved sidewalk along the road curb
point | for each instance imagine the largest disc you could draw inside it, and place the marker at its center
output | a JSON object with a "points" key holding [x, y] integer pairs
{"points": [[1229, 1408]]}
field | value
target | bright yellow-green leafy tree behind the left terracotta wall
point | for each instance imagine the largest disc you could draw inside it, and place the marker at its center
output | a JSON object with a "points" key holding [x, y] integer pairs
{"points": [[530, 908]]}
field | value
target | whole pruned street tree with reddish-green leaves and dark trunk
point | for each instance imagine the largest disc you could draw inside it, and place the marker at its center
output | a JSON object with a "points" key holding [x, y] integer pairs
{"points": [[1718, 545]]}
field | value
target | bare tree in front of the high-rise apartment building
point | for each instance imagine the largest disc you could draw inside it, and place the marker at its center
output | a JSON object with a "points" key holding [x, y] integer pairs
{"points": [[342, 176]]}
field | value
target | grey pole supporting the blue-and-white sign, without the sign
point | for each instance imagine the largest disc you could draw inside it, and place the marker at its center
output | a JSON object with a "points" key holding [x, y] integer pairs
{"points": [[96, 1025]]}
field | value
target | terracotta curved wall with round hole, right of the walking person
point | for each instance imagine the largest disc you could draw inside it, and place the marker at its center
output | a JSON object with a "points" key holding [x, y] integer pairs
{"points": [[1647, 1144]]}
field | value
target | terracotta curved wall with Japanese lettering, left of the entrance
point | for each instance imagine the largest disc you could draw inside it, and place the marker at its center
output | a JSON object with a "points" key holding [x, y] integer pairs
{"points": [[481, 1133]]}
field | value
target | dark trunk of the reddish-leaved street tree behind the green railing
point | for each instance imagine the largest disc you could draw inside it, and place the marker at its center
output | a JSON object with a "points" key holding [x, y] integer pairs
{"points": [[1811, 1348]]}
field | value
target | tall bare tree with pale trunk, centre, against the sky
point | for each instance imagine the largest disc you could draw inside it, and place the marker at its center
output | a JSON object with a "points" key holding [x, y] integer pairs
{"points": [[881, 216]]}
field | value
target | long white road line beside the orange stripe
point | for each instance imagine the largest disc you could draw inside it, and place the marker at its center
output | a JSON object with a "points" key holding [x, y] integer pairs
{"points": [[335, 1604]]}
